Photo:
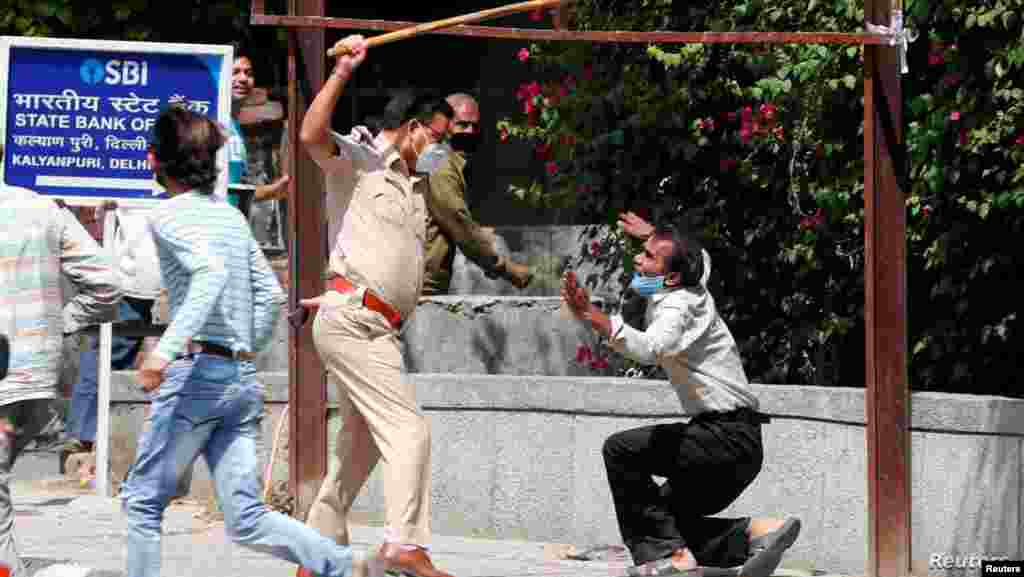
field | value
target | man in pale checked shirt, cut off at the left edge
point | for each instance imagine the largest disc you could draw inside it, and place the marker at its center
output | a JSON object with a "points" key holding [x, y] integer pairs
{"points": [[41, 244]]}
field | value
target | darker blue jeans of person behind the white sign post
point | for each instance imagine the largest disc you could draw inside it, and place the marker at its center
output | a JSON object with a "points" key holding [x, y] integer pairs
{"points": [[123, 352]]}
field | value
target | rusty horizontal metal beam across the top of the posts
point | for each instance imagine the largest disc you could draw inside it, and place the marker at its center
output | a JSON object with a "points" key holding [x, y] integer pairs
{"points": [[667, 37]]}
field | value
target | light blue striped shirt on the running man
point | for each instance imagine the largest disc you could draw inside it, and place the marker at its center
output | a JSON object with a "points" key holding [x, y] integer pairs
{"points": [[221, 287]]}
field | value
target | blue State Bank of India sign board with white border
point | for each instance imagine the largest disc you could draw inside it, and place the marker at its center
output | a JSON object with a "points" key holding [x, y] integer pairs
{"points": [[77, 115]]}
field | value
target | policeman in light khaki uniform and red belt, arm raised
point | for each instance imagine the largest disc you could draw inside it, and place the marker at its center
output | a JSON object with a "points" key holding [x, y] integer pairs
{"points": [[377, 224]]}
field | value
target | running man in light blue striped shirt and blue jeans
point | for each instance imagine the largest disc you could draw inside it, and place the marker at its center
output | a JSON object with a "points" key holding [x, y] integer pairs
{"points": [[225, 302]]}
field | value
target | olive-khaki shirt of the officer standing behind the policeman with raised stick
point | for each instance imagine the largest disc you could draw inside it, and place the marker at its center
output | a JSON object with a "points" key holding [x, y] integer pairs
{"points": [[452, 225]]}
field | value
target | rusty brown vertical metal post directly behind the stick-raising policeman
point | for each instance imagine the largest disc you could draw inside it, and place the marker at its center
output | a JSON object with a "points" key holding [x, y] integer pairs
{"points": [[307, 385]]}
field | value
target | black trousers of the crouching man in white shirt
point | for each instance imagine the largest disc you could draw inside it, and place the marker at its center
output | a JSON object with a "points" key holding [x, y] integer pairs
{"points": [[708, 463]]}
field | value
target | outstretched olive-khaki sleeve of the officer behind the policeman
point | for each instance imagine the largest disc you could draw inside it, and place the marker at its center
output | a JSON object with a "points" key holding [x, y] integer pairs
{"points": [[447, 203]]}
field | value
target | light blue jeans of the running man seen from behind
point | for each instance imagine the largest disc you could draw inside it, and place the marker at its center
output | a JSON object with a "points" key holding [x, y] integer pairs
{"points": [[212, 405]]}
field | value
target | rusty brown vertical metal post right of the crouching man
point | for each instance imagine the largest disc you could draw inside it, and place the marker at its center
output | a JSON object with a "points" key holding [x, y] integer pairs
{"points": [[888, 399]]}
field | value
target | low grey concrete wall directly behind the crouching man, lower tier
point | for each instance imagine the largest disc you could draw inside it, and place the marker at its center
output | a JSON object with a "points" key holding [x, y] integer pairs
{"points": [[520, 458]]}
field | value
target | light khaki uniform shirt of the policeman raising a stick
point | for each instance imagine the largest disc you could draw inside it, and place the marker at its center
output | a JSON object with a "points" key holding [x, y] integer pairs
{"points": [[376, 219]]}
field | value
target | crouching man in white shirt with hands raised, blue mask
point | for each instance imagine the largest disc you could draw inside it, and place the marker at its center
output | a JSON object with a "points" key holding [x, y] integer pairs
{"points": [[710, 460]]}
